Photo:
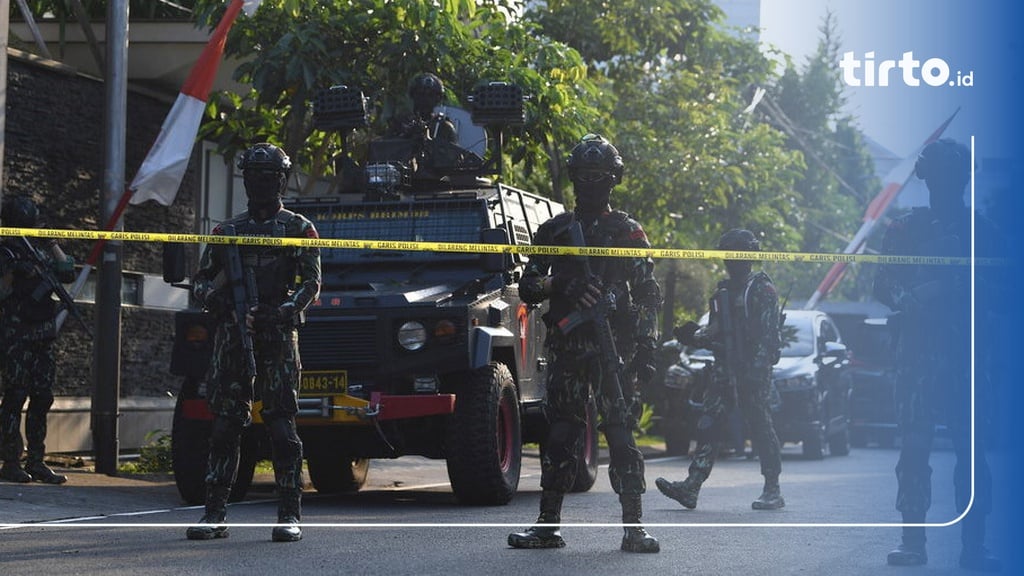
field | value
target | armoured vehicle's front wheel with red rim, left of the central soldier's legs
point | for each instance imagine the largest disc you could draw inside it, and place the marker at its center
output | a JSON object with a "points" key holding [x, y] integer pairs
{"points": [[485, 440]]}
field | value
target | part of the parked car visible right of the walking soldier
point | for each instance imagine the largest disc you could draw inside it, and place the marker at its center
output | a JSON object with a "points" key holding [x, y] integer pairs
{"points": [[814, 384]]}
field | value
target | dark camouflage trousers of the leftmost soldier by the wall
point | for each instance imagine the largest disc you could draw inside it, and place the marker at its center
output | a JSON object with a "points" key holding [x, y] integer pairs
{"points": [[29, 371]]}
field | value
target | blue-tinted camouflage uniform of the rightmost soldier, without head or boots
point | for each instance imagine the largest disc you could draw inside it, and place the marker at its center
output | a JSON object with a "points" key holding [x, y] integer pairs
{"points": [[932, 331]]}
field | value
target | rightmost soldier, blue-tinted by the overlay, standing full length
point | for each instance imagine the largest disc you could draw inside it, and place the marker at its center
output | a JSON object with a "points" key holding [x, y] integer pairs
{"points": [[932, 330]]}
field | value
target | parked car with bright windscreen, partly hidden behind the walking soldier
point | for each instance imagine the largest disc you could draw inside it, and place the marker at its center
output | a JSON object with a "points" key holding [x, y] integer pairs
{"points": [[812, 388]]}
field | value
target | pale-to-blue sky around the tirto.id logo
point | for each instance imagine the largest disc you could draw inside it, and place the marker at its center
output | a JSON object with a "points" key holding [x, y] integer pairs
{"points": [[974, 38]]}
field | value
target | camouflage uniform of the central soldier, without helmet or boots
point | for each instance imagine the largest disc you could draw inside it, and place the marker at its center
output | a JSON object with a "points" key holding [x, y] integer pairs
{"points": [[576, 368]]}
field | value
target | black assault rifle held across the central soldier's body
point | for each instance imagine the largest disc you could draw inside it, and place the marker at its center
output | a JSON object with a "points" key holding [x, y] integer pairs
{"points": [[599, 316]]}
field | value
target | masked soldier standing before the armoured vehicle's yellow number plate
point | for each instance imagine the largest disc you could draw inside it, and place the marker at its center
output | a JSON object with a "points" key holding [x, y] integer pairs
{"points": [[288, 279]]}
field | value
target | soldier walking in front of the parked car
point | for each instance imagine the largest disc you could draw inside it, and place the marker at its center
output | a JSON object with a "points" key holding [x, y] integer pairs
{"points": [[755, 314]]}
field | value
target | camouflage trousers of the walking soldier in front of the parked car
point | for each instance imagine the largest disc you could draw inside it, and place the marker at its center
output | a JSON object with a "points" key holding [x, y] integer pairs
{"points": [[753, 397]]}
